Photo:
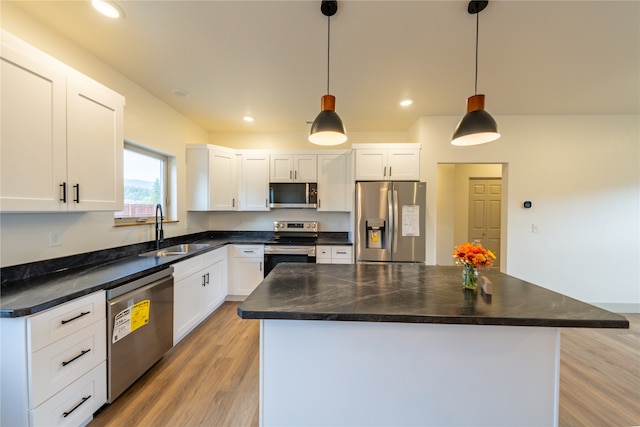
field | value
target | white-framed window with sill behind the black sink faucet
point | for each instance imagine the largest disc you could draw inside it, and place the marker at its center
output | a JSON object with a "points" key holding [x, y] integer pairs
{"points": [[145, 185]]}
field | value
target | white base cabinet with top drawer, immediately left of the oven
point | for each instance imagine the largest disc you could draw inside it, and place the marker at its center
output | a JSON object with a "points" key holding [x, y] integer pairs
{"points": [[248, 268]]}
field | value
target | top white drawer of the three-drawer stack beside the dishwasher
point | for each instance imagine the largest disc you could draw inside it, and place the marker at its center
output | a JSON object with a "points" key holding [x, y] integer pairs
{"points": [[64, 320]]}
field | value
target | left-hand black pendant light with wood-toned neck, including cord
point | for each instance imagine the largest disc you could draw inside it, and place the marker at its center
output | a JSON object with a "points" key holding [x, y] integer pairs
{"points": [[327, 128]]}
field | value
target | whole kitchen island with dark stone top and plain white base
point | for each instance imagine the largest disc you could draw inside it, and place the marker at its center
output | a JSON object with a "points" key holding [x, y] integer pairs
{"points": [[405, 345]]}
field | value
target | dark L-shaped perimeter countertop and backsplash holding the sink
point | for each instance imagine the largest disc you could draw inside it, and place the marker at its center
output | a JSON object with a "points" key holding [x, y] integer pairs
{"points": [[38, 286]]}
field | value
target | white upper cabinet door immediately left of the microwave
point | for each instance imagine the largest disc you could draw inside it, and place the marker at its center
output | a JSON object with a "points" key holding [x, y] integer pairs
{"points": [[254, 181]]}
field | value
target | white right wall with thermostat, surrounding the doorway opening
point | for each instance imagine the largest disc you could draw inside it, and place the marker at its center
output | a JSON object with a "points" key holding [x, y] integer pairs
{"points": [[582, 175]]}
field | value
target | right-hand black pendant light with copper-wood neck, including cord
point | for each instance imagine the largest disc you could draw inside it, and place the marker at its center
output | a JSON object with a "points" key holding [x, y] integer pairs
{"points": [[477, 126]]}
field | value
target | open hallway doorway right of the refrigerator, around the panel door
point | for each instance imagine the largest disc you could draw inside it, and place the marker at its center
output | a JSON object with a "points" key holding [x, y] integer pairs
{"points": [[453, 208]]}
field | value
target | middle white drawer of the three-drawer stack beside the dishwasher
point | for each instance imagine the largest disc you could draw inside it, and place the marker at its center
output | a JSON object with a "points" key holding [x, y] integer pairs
{"points": [[61, 363]]}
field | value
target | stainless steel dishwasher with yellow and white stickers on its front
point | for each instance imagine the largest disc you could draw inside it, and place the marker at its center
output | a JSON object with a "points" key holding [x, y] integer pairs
{"points": [[139, 328]]}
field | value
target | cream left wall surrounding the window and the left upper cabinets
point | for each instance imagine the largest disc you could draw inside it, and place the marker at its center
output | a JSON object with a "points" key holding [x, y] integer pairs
{"points": [[148, 121]]}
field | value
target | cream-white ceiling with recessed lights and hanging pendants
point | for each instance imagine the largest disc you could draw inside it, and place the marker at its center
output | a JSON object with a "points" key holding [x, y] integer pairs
{"points": [[269, 58]]}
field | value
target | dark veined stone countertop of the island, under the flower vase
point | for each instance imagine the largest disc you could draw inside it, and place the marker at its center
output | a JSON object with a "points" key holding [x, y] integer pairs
{"points": [[413, 293]]}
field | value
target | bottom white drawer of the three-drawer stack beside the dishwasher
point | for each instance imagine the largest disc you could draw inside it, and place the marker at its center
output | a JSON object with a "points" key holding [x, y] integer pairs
{"points": [[78, 401]]}
